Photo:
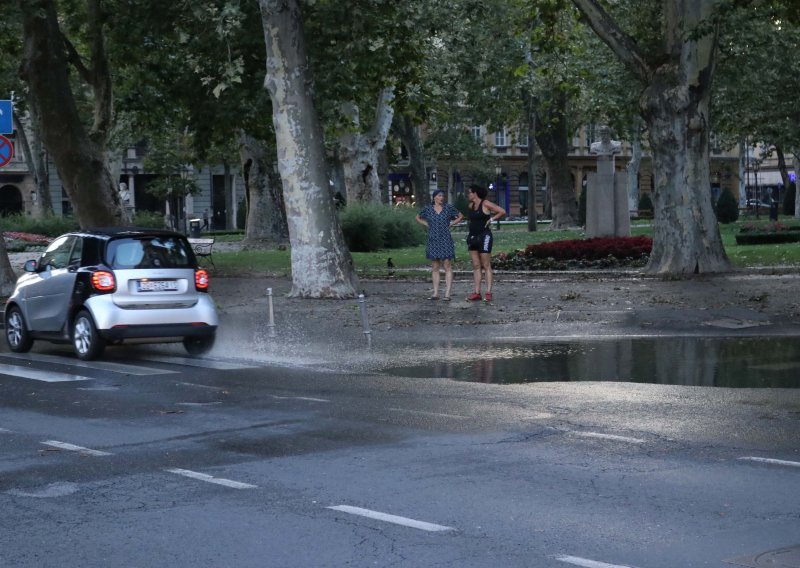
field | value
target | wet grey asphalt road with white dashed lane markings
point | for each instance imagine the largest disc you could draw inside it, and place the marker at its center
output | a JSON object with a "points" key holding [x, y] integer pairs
{"points": [[158, 460]]}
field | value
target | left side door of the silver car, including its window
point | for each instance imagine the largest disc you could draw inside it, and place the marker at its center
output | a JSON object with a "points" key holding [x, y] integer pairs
{"points": [[48, 292]]}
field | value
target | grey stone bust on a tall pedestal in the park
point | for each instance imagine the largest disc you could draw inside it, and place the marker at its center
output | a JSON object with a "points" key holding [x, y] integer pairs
{"points": [[606, 193]]}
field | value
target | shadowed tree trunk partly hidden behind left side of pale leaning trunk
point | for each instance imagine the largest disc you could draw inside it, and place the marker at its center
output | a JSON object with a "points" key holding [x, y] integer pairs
{"points": [[266, 217]]}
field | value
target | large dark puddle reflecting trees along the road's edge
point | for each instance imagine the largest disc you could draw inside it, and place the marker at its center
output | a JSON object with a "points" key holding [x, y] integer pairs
{"points": [[690, 361]]}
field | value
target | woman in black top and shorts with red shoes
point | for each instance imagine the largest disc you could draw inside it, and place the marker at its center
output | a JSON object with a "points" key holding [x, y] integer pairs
{"points": [[479, 239]]}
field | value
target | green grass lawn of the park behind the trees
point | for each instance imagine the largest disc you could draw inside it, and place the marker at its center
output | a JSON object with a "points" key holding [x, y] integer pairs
{"points": [[411, 261]]}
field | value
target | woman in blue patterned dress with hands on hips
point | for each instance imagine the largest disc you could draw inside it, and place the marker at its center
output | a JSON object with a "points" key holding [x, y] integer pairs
{"points": [[440, 250]]}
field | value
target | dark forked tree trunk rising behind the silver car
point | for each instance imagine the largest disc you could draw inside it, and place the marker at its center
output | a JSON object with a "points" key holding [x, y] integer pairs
{"points": [[79, 155]]}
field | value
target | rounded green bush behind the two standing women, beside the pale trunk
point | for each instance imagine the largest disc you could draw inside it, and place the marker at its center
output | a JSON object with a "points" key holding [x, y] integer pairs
{"points": [[373, 226]]}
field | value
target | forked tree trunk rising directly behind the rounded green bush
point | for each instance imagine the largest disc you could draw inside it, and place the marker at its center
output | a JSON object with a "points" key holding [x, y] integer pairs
{"points": [[358, 151]]}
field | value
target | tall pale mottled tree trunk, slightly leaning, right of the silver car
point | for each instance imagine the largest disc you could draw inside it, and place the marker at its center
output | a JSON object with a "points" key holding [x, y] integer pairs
{"points": [[321, 263]]}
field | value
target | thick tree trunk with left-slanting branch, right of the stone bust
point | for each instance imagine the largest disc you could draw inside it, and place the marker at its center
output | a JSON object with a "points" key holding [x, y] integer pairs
{"points": [[675, 107]]}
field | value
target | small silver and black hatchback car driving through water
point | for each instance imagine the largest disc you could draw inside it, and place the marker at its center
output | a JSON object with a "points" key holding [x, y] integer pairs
{"points": [[109, 286]]}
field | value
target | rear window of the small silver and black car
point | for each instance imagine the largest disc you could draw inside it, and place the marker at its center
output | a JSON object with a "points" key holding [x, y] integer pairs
{"points": [[149, 252]]}
